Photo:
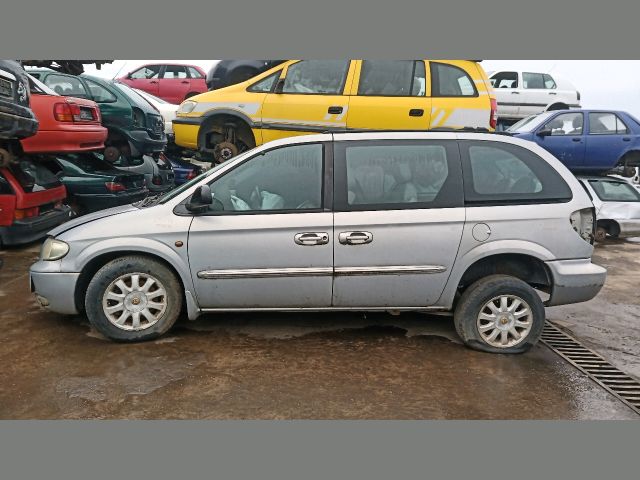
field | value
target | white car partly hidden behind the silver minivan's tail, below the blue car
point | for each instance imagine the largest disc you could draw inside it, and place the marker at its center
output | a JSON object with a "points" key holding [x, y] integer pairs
{"points": [[617, 204]]}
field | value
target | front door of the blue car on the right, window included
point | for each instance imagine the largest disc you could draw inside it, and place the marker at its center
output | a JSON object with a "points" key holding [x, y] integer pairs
{"points": [[567, 139]]}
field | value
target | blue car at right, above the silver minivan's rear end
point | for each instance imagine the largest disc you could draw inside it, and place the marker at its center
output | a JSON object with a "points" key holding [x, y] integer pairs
{"points": [[586, 141]]}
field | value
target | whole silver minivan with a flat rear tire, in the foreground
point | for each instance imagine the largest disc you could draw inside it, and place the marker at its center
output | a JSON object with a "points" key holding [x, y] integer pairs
{"points": [[489, 227]]}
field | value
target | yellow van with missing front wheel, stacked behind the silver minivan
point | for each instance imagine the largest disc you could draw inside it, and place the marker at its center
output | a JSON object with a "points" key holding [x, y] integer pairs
{"points": [[310, 96]]}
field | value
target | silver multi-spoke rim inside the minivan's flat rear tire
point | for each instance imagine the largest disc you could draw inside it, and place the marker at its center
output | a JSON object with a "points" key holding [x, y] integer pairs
{"points": [[504, 321]]}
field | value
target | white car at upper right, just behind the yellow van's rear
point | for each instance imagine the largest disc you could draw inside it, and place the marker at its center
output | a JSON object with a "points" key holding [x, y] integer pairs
{"points": [[520, 94]]}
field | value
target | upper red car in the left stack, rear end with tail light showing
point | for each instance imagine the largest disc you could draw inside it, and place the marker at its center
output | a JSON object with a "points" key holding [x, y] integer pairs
{"points": [[66, 123]]}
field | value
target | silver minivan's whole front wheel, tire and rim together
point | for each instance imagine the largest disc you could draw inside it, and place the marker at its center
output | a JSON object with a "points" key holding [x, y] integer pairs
{"points": [[133, 299]]}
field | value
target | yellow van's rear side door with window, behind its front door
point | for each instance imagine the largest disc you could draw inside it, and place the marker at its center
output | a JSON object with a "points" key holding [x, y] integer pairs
{"points": [[389, 95]]}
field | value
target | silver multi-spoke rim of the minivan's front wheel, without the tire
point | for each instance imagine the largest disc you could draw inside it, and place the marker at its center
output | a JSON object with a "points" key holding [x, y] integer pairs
{"points": [[134, 301]]}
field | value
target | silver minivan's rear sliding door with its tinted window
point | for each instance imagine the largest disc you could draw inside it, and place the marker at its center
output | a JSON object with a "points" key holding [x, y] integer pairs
{"points": [[398, 221]]}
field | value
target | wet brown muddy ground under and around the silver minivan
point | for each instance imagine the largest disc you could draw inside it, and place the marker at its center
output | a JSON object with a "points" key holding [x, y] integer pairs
{"points": [[324, 366]]}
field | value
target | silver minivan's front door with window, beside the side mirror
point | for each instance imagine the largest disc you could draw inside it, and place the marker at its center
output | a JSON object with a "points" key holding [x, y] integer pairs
{"points": [[268, 243]]}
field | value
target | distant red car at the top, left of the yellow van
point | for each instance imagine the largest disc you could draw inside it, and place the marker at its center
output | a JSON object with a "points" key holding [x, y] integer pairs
{"points": [[171, 82]]}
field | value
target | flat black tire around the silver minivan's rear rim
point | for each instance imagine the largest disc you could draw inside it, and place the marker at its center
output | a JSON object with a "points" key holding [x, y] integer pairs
{"points": [[477, 295]]}
